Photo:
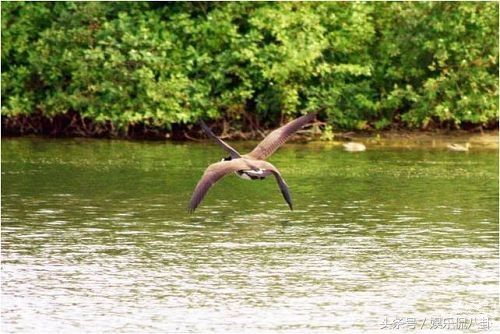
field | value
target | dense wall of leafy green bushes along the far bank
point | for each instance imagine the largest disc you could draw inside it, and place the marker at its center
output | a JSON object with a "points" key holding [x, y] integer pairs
{"points": [[369, 64]]}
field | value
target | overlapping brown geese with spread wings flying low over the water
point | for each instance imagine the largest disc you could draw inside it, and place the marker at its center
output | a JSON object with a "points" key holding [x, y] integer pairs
{"points": [[250, 166]]}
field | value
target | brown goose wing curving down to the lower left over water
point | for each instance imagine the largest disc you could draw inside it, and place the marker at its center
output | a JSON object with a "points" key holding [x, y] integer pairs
{"points": [[212, 174]]}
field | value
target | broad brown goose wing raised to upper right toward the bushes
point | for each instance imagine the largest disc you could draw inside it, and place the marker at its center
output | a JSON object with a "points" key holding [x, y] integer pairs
{"points": [[276, 138]]}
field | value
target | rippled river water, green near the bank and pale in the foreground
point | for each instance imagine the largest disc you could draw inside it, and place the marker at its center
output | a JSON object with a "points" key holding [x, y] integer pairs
{"points": [[95, 237]]}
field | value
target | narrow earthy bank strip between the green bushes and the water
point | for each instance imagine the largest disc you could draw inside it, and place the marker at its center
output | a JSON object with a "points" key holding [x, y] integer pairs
{"points": [[72, 125]]}
